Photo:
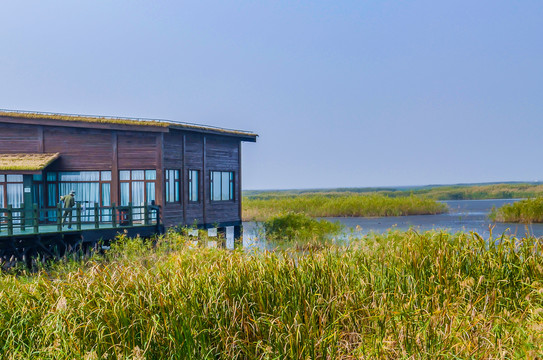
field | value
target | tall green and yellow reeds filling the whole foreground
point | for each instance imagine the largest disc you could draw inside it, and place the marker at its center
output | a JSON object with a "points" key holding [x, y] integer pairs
{"points": [[397, 295]]}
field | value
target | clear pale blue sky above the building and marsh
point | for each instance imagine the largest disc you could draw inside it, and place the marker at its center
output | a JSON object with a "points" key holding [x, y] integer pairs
{"points": [[342, 93]]}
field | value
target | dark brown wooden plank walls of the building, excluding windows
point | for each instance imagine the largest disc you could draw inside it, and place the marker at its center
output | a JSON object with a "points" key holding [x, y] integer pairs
{"points": [[91, 149]]}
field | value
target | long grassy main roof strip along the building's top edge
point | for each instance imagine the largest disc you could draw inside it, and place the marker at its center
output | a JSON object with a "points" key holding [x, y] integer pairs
{"points": [[122, 121]]}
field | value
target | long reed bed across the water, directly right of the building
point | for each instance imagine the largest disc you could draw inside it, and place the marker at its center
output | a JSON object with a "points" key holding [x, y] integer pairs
{"points": [[339, 205]]}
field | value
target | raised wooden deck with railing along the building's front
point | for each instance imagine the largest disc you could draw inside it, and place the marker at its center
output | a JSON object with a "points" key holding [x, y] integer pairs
{"points": [[26, 233]]}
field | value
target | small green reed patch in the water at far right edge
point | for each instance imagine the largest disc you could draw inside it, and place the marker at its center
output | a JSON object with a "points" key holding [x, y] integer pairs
{"points": [[525, 211]]}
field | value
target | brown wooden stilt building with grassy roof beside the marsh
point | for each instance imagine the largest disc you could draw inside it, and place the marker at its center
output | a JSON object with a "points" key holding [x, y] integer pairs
{"points": [[191, 173]]}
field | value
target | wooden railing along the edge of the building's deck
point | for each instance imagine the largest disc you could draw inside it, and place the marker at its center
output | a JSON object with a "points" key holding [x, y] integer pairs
{"points": [[39, 220]]}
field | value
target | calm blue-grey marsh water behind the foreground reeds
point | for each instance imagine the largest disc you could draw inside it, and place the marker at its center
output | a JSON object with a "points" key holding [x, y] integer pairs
{"points": [[464, 215]]}
